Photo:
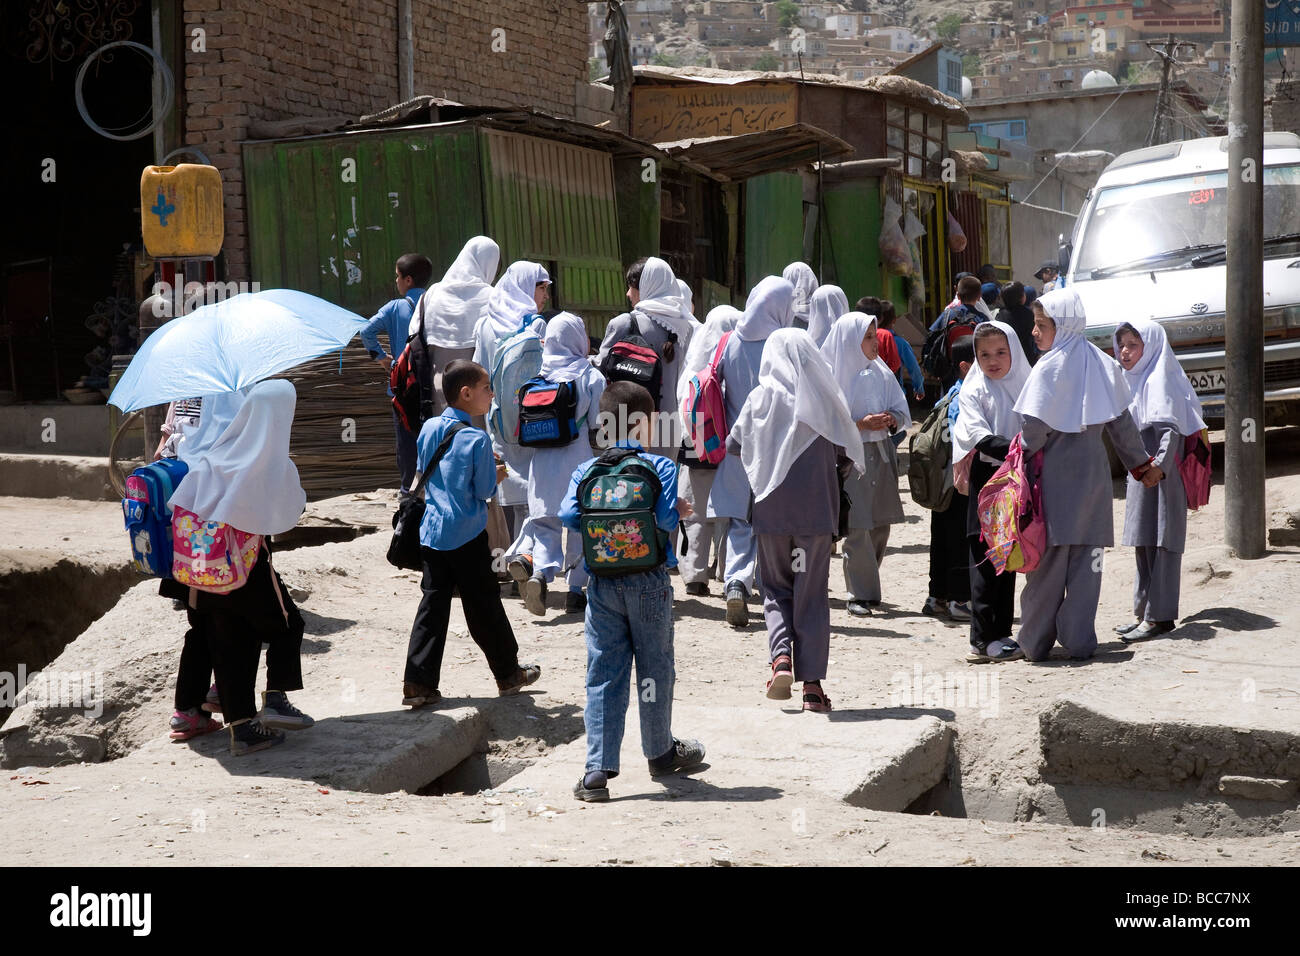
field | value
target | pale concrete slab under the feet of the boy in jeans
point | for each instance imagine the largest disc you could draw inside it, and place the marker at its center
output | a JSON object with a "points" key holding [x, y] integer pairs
{"points": [[865, 759]]}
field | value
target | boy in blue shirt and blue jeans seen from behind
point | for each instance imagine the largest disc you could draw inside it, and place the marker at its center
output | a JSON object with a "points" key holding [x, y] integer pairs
{"points": [[630, 617]]}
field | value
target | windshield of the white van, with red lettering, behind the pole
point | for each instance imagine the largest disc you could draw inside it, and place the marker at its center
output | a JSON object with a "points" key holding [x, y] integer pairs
{"points": [[1173, 220]]}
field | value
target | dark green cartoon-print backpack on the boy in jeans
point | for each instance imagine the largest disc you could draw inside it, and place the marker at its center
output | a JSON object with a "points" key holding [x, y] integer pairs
{"points": [[616, 501]]}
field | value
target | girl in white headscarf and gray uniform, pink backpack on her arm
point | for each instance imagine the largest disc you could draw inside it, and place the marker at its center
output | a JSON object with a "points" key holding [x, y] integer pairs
{"points": [[1074, 393]]}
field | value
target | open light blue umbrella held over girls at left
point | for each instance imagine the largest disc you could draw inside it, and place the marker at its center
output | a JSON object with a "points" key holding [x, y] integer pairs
{"points": [[233, 344]]}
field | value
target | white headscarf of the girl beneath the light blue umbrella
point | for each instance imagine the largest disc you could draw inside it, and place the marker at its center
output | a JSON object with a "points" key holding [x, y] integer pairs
{"points": [[240, 468]]}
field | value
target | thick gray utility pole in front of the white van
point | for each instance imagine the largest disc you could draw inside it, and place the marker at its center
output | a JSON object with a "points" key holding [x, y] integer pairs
{"points": [[1243, 444]]}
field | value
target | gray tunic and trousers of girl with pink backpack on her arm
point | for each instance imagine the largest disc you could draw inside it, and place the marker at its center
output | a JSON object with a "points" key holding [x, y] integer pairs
{"points": [[1060, 599]]}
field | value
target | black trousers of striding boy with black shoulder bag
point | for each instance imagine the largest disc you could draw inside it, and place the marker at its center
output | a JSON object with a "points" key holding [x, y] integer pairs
{"points": [[469, 569]]}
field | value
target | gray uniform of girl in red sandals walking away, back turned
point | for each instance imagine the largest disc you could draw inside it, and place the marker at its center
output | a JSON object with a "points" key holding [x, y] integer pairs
{"points": [[794, 527]]}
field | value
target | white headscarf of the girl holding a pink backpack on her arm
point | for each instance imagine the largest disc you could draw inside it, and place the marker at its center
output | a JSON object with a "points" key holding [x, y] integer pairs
{"points": [[1074, 384]]}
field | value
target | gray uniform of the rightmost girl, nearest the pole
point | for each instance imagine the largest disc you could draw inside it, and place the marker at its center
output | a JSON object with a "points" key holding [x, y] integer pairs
{"points": [[1156, 526]]}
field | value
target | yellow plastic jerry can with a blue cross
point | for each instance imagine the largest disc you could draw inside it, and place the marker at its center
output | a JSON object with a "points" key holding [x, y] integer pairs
{"points": [[181, 211]]}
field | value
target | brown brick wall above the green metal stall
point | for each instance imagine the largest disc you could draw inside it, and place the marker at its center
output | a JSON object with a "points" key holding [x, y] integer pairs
{"points": [[281, 59]]}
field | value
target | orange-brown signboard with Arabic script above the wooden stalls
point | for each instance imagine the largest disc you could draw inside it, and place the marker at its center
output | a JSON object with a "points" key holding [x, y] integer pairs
{"points": [[666, 114]]}
